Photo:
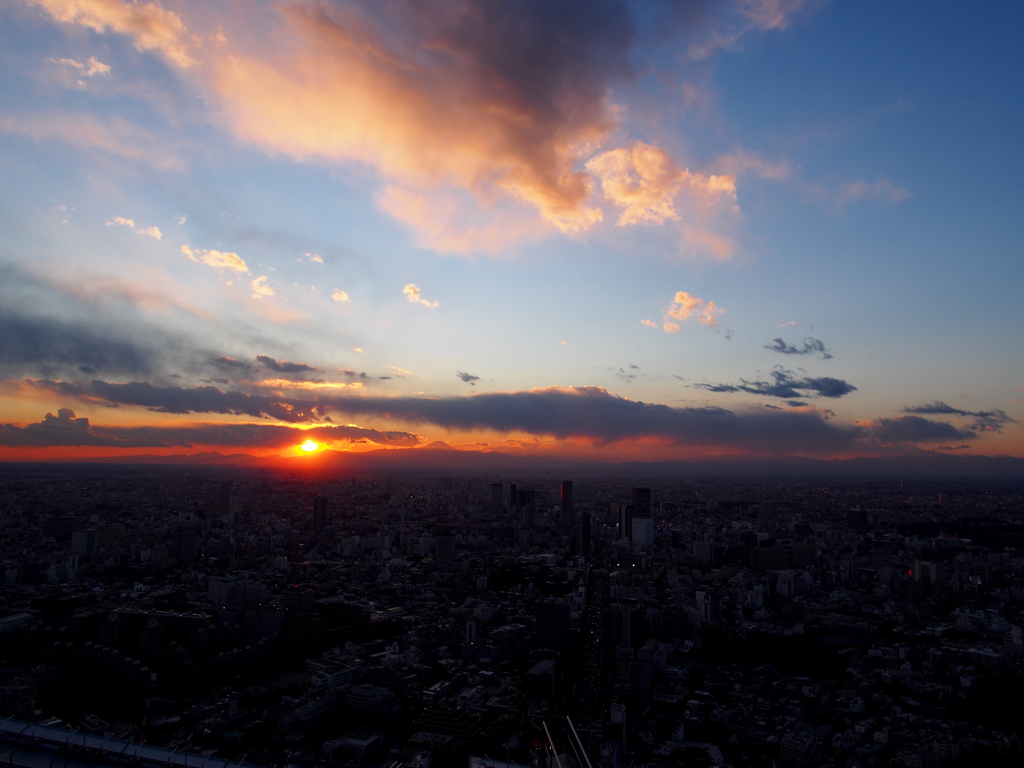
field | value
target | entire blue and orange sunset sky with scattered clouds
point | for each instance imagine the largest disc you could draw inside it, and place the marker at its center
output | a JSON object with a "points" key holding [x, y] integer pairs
{"points": [[600, 230]]}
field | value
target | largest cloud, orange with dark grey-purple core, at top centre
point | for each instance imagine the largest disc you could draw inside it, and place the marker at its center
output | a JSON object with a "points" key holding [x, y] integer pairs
{"points": [[502, 103]]}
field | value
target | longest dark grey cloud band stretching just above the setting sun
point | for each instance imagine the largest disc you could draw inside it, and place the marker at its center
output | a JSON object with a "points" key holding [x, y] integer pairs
{"points": [[590, 413]]}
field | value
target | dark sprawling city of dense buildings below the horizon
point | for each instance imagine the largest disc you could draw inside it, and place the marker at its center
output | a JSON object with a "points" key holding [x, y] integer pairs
{"points": [[291, 620]]}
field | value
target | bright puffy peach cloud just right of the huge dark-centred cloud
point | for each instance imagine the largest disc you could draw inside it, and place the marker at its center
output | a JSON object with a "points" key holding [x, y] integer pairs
{"points": [[645, 181]]}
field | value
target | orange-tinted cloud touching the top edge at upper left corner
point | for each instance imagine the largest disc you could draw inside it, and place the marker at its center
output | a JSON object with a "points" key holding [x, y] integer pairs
{"points": [[149, 25]]}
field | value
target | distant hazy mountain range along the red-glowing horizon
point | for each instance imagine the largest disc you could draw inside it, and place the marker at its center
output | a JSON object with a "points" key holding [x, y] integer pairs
{"points": [[440, 458]]}
